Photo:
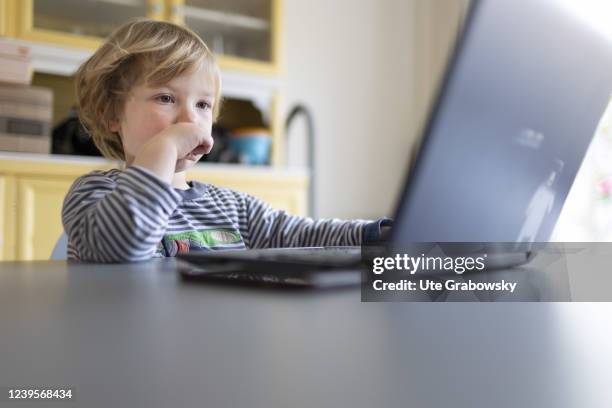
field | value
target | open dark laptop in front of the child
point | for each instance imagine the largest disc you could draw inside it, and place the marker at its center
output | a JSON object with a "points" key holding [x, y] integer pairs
{"points": [[520, 101]]}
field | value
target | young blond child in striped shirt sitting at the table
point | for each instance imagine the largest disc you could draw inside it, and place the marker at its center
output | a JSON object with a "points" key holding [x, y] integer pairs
{"points": [[149, 96]]}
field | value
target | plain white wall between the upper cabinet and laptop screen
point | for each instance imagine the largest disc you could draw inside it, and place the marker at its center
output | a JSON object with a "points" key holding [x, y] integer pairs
{"points": [[366, 69]]}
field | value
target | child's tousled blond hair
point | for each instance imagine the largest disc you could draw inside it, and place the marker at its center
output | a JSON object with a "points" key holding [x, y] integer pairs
{"points": [[140, 51]]}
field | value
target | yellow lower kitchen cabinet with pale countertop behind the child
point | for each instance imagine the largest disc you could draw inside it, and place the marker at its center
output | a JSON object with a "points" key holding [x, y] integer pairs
{"points": [[32, 192]]}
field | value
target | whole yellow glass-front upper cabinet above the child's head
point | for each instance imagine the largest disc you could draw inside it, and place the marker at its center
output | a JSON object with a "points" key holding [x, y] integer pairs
{"points": [[244, 34]]}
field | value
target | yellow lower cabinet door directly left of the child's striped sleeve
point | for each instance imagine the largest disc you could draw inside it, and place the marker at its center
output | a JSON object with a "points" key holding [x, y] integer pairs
{"points": [[39, 215]]}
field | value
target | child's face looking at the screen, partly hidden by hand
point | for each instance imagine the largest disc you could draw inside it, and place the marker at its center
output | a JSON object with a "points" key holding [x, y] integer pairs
{"points": [[150, 109]]}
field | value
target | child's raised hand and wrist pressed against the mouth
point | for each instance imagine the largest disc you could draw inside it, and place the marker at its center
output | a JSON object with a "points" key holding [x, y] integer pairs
{"points": [[170, 150]]}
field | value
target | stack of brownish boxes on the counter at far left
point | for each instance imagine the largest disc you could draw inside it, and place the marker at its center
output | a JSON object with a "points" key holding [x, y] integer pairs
{"points": [[25, 111]]}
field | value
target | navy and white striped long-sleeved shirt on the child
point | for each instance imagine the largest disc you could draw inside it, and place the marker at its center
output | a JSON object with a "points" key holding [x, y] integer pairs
{"points": [[131, 215]]}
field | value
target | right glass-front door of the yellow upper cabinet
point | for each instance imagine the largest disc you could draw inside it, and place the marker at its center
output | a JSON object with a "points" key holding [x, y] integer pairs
{"points": [[244, 34]]}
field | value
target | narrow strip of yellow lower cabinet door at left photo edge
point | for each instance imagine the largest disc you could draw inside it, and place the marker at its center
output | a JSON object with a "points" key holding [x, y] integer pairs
{"points": [[8, 214]]}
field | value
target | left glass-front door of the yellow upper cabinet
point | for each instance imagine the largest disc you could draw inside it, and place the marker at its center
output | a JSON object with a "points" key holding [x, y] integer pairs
{"points": [[75, 22]]}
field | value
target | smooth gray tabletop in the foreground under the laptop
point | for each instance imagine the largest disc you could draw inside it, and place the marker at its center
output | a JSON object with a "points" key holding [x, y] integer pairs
{"points": [[136, 335]]}
